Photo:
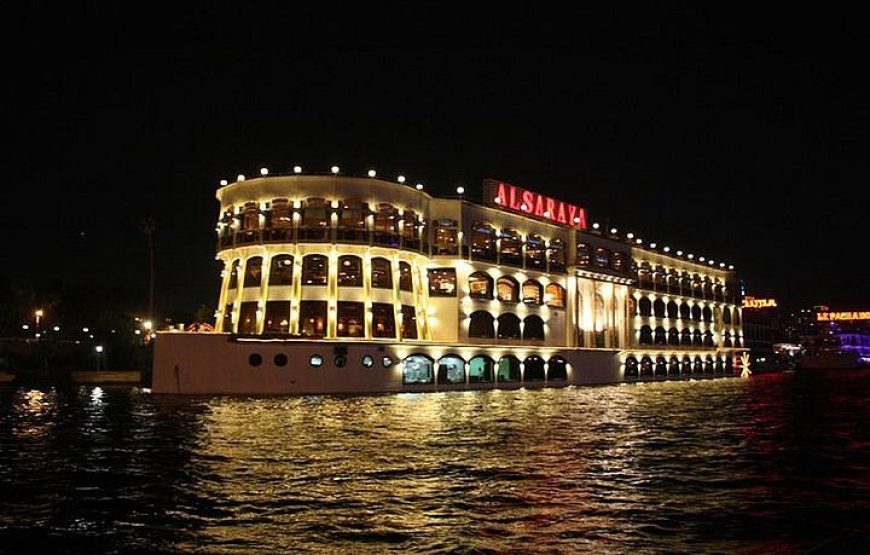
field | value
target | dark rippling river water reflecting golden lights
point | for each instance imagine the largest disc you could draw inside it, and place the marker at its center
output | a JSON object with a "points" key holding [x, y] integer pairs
{"points": [[775, 463]]}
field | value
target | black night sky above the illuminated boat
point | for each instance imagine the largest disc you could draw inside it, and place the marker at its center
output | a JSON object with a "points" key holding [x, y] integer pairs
{"points": [[739, 137]]}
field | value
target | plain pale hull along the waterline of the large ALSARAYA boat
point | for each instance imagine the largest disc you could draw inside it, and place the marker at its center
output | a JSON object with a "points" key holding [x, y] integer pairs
{"points": [[217, 363]]}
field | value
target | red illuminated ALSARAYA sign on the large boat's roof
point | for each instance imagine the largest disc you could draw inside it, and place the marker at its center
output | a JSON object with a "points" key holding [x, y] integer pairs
{"points": [[516, 199]]}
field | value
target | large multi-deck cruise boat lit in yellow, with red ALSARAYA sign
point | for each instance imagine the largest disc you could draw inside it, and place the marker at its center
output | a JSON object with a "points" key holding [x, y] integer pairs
{"points": [[350, 284]]}
